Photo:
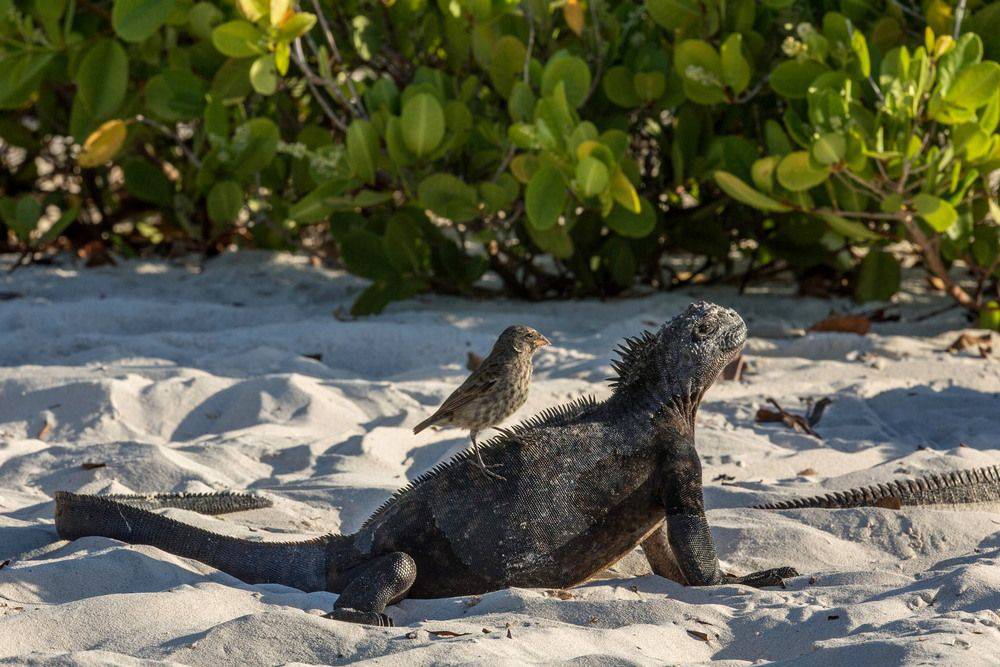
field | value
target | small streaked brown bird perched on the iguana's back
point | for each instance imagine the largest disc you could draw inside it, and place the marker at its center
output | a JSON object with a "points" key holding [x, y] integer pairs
{"points": [[494, 391]]}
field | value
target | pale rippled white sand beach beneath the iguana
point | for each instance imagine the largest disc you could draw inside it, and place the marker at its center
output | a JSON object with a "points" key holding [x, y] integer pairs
{"points": [[185, 381]]}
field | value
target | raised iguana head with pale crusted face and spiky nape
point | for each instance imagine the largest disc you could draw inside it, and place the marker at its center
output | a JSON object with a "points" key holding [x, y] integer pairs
{"points": [[684, 357]]}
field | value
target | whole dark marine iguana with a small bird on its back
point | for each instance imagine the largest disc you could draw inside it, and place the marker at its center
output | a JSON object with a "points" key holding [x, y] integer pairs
{"points": [[585, 483]]}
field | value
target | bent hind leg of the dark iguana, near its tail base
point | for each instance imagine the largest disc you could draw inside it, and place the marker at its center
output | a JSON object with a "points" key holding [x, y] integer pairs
{"points": [[366, 590]]}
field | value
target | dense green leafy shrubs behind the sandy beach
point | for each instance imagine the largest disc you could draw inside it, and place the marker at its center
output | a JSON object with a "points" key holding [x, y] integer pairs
{"points": [[571, 147]]}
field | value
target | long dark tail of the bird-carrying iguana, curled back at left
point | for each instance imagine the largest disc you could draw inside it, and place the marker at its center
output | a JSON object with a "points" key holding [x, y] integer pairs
{"points": [[301, 565]]}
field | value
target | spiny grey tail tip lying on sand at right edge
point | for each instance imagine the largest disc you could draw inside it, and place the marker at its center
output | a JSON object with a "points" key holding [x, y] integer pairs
{"points": [[977, 485]]}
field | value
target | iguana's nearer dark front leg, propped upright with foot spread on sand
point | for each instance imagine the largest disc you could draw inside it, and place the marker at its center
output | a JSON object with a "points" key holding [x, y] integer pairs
{"points": [[689, 535]]}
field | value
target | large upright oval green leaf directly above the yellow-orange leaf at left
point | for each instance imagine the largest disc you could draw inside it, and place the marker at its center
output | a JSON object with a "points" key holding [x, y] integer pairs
{"points": [[101, 81]]}
